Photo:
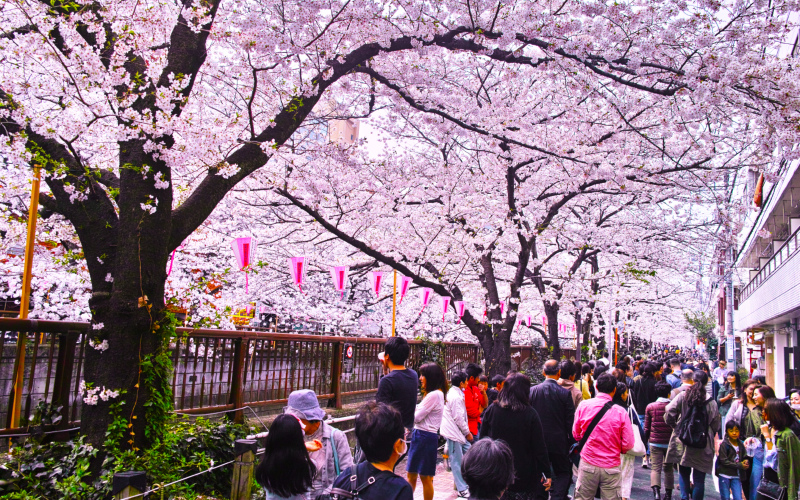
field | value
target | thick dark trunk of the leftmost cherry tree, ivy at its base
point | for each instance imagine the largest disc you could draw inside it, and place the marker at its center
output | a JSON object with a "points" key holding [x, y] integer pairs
{"points": [[128, 279]]}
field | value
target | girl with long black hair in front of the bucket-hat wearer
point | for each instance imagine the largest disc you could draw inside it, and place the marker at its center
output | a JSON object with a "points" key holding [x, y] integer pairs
{"points": [[286, 471]]}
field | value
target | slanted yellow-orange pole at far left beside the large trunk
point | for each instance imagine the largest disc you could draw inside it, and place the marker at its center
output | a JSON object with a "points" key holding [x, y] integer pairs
{"points": [[24, 303]]}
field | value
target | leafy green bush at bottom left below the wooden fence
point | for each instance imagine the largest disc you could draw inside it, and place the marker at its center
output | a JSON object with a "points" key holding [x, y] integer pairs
{"points": [[189, 445]]}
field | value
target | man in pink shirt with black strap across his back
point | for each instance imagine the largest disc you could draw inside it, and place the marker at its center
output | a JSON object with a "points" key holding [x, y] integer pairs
{"points": [[599, 466]]}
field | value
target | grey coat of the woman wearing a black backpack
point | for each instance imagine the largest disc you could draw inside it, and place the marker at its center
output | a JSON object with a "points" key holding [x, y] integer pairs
{"points": [[701, 459]]}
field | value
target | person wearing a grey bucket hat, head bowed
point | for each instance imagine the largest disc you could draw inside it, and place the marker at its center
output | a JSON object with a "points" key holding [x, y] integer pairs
{"points": [[334, 456]]}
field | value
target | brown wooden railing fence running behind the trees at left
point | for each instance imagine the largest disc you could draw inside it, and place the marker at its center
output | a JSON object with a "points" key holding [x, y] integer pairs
{"points": [[214, 370]]}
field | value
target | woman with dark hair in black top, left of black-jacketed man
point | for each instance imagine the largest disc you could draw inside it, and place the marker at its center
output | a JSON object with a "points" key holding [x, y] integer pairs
{"points": [[513, 419]]}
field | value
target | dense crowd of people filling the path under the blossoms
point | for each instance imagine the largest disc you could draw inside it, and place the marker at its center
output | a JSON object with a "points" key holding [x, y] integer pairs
{"points": [[586, 423]]}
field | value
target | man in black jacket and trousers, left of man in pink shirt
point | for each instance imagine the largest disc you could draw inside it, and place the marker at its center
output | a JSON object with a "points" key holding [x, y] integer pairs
{"points": [[556, 410]]}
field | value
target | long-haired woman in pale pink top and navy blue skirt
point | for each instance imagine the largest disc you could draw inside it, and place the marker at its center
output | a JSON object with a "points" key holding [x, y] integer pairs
{"points": [[425, 436]]}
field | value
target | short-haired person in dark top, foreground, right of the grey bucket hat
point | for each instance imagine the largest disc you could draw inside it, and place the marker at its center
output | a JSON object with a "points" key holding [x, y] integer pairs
{"points": [[379, 430]]}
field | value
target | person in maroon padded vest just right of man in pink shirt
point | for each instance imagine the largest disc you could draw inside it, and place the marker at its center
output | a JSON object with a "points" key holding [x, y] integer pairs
{"points": [[657, 434]]}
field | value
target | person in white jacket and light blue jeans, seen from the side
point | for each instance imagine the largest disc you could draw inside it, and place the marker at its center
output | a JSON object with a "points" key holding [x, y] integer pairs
{"points": [[455, 429]]}
